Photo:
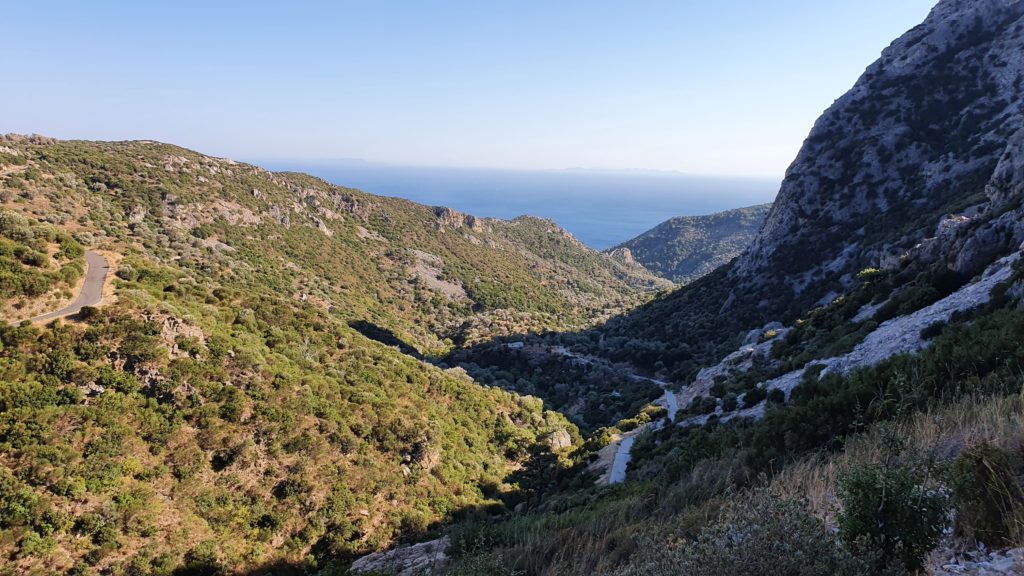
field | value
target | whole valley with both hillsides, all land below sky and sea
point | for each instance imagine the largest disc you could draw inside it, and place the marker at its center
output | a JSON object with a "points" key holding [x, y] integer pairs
{"points": [[210, 368]]}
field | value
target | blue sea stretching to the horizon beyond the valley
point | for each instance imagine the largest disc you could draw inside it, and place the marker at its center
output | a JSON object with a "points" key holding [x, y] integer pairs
{"points": [[601, 209]]}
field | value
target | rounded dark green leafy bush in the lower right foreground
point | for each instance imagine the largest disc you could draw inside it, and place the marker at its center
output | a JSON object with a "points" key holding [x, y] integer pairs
{"points": [[887, 508]]}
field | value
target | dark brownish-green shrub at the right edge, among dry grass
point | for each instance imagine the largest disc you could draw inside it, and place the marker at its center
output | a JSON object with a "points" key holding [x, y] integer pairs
{"points": [[988, 496]]}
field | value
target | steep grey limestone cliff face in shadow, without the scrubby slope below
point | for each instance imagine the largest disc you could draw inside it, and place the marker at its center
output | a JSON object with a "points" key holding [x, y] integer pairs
{"points": [[934, 128]]}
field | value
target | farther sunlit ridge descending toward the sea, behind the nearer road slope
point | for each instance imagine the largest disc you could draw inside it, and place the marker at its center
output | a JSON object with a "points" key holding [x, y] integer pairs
{"points": [[417, 271]]}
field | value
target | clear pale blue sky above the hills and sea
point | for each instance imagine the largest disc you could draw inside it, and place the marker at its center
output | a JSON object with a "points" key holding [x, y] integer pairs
{"points": [[709, 88]]}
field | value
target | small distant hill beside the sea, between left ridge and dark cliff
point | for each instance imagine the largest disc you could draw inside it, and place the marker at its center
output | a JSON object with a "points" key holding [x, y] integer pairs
{"points": [[686, 249]]}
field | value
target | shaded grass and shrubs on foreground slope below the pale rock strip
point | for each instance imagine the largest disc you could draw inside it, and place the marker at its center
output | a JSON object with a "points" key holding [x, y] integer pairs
{"points": [[899, 446]]}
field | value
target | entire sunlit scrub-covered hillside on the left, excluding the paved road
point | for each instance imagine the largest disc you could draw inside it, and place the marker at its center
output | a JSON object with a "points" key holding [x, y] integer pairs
{"points": [[253, 391]]}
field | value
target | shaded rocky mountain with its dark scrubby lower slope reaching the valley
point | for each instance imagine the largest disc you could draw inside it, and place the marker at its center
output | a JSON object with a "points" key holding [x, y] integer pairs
{"points": [[916, 172]]}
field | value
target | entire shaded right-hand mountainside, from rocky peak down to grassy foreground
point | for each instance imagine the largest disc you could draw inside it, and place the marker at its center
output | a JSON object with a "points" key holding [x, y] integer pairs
{"points": [[849, 388]]}
